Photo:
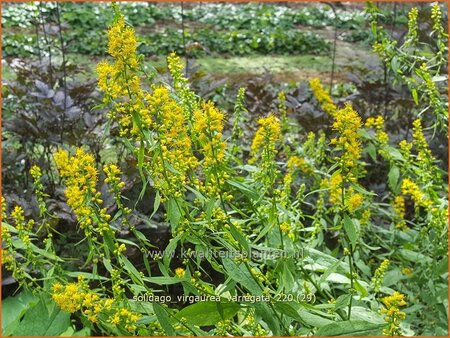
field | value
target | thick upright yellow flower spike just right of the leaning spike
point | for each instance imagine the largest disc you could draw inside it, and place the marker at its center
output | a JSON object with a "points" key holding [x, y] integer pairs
{"points": [[347, 122]]}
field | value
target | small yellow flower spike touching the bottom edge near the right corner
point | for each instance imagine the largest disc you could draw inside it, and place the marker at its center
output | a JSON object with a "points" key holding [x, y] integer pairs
{"points": [[393, 314]]}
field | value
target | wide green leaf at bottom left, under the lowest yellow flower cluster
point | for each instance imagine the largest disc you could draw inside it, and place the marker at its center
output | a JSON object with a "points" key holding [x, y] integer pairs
{"points": [[43, 320]]}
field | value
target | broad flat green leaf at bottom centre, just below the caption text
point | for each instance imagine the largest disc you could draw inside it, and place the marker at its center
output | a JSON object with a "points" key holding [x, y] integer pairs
{"points": [[208, 313]]}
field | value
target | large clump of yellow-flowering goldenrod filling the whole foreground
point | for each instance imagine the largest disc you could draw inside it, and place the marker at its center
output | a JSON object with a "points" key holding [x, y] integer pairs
{"points": [[286, 240]]}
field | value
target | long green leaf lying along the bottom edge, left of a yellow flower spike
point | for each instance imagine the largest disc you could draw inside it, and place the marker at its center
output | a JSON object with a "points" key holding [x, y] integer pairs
{"points": [[351, 328]]}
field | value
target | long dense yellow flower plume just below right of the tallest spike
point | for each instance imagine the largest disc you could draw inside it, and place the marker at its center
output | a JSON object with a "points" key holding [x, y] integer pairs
{"points": [[175, 144]]}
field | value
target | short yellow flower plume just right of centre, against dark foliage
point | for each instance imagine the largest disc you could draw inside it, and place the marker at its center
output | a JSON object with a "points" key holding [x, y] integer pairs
{"points": [[266, 136]]}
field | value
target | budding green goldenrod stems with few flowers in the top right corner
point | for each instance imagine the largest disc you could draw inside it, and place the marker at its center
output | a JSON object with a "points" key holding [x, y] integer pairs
{"points": [[419, 62]]}
